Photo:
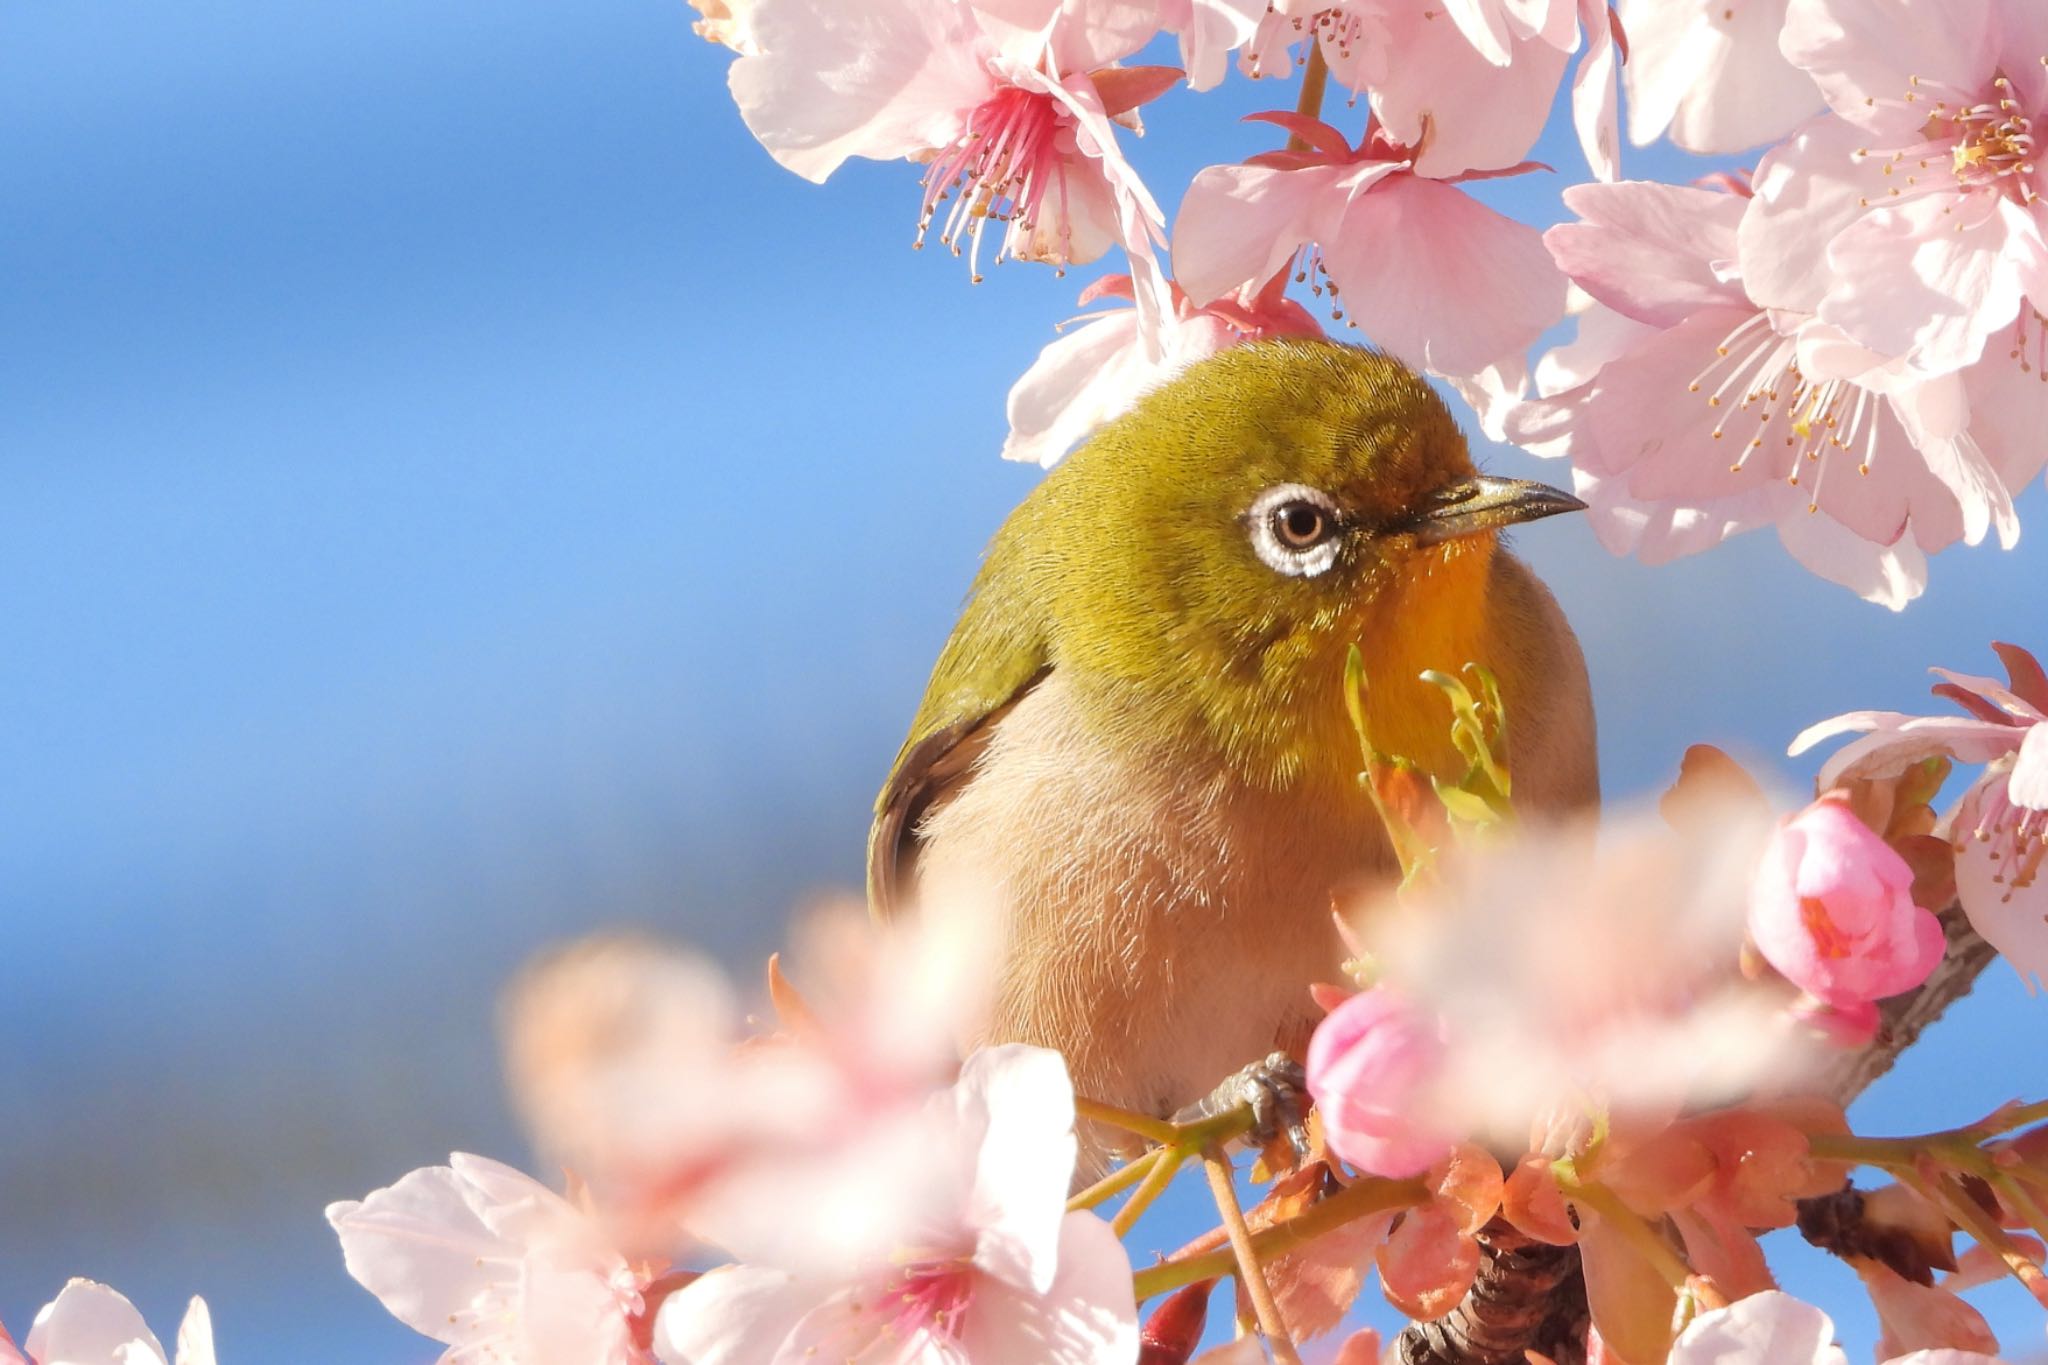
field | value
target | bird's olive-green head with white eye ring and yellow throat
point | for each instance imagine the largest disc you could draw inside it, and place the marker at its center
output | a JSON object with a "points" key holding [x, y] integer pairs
{"points": [[1211, 556]]}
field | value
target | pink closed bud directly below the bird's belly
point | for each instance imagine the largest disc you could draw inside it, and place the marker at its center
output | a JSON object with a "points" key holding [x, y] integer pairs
{"points": [[1369, 1067]]}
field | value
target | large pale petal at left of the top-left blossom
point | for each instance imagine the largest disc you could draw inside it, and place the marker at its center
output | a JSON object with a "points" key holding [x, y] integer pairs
{"points": [[880, 81]]}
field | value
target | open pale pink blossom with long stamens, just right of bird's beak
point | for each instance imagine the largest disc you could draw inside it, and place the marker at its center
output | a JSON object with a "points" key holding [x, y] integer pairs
{"points": [[1693, 410]]}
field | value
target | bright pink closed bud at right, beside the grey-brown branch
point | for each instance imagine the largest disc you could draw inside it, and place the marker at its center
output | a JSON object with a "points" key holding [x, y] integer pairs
{"points": [[1832, 910]]}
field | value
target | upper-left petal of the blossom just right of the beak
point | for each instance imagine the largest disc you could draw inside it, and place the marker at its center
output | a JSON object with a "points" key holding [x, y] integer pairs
{"points": [[1648, 251]]}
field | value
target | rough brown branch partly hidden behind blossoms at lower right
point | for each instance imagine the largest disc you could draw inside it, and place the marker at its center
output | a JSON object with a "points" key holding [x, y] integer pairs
{"points": [[1533, 1298]]}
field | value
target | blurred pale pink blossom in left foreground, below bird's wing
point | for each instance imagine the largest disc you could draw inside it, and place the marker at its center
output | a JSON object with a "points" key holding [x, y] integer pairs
{"points": [[634, 1067]]}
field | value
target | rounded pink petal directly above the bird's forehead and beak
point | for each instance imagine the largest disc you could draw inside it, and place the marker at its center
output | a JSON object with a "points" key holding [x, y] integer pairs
{"points": [[1441, 279]]}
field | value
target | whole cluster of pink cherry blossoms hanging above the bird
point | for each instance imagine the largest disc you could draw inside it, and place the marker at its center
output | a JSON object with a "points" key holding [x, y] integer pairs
{"points": [[1840, 339]]}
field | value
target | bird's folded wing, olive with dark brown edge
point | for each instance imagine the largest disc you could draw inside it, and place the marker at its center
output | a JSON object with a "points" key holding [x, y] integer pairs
{"points": [[994, 658]]}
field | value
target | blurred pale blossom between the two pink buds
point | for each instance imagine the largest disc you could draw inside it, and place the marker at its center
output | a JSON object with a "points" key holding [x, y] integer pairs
{"points": [[1574, 975]]}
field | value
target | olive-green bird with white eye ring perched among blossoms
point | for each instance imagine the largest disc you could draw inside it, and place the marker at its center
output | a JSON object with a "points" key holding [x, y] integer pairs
{"points": [[1134, 752]]}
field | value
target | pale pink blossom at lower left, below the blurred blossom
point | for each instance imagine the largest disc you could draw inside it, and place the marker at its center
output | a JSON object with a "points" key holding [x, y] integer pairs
{"points": [[497, 1266]]}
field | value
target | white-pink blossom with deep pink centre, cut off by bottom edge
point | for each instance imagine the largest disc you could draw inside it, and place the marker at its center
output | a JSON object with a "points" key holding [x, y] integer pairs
{"points": [[998, 1272]]}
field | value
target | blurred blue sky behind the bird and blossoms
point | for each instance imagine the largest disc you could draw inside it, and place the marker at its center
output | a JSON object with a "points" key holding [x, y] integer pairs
{"points": [[460, 494]]}
